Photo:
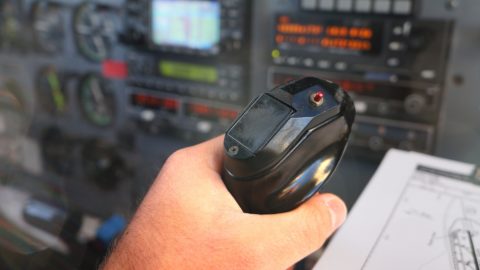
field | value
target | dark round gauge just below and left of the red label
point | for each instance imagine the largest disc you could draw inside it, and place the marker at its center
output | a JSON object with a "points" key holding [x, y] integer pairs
{"points": [[97, 101]]}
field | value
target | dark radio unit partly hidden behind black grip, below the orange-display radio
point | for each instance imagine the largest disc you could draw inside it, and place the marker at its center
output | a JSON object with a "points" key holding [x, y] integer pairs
{"points": [[404, 101]]}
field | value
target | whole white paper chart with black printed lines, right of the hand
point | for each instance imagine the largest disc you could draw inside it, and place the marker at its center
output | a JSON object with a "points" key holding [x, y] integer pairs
{"points": [[431, 219]]}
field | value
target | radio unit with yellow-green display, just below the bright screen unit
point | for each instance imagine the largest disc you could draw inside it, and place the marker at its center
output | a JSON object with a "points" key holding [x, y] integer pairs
{"points": [[222, 82]]}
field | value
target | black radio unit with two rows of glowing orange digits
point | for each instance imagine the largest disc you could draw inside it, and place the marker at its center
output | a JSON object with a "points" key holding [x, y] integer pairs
{"points": [[376, 48]]}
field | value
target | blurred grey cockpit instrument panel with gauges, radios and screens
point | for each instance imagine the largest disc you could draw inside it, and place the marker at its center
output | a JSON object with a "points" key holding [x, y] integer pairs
{"points": [[95, 95]]}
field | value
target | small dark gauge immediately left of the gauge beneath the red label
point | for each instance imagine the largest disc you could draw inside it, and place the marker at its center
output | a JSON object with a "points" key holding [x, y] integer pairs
{"points": [[51, 94]]}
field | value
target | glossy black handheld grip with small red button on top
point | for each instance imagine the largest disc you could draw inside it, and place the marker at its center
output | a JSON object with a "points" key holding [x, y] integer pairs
{"points": [[286, 144]]}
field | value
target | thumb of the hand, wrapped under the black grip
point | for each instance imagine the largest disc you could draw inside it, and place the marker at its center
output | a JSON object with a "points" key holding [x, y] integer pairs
{"points": [[298, 233]]}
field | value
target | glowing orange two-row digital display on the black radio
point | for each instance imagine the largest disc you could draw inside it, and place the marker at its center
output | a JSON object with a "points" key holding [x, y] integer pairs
{"points": [[356, 37]]}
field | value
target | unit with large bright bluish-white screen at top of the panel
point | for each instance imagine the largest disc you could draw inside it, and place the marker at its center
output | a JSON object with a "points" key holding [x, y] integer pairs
{"points": [[190, 27]]}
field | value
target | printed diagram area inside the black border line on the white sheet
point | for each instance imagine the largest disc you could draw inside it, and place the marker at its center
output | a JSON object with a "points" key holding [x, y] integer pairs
{"points": [[435, 225]]}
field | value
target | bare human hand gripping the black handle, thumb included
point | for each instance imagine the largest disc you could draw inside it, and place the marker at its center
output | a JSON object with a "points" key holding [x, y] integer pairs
{"points": [[189, 220]]}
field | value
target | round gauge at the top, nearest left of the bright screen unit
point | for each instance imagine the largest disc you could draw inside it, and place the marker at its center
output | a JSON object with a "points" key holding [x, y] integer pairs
{"points": [[94, 30]]}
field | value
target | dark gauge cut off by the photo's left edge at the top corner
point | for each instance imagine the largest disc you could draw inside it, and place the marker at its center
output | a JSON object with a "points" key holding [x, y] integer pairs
{"points": [[9, 23]]}
